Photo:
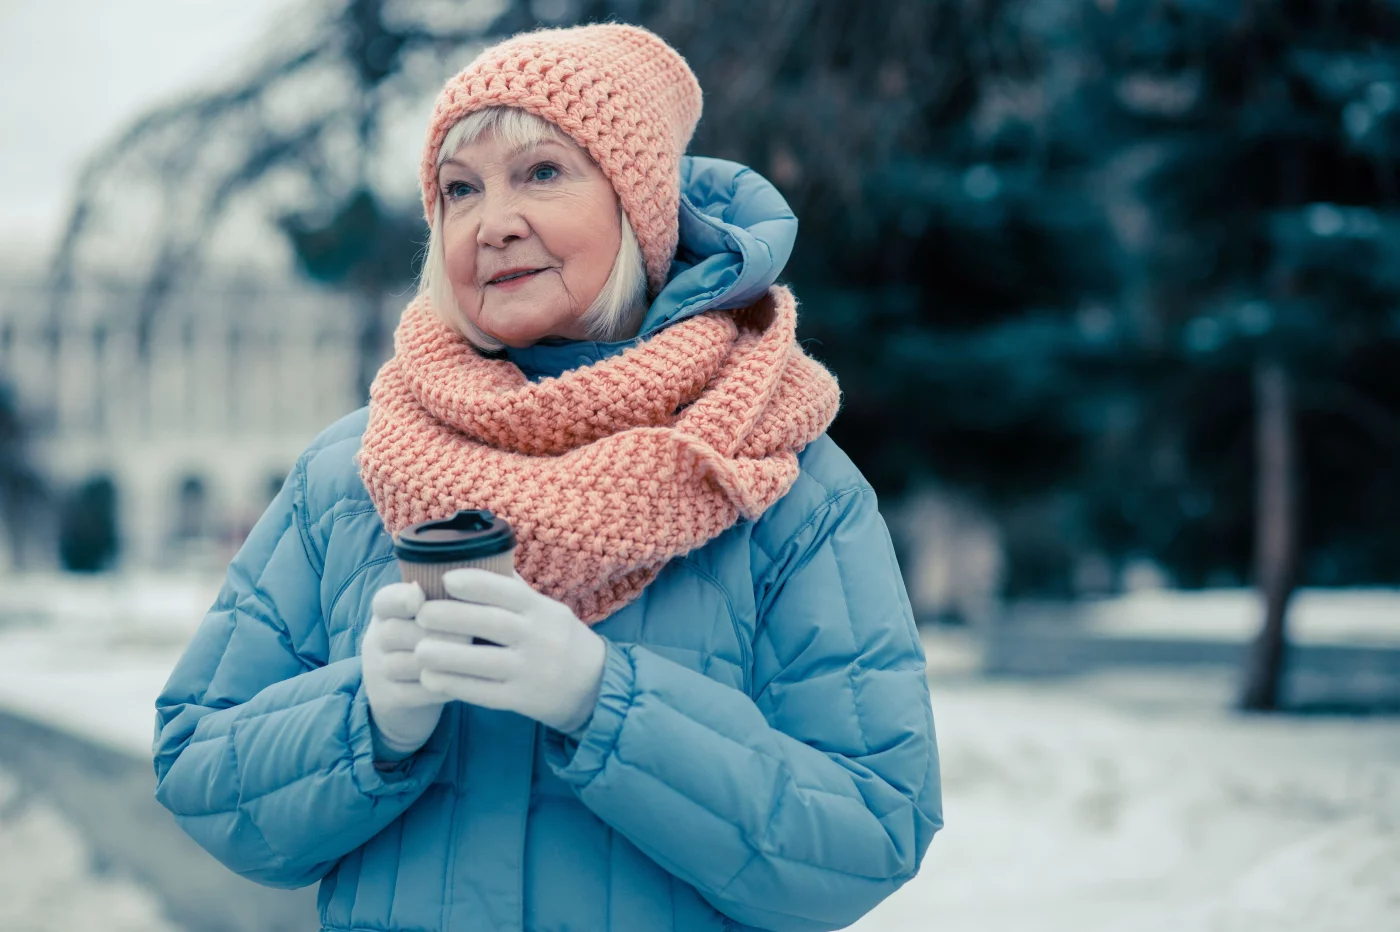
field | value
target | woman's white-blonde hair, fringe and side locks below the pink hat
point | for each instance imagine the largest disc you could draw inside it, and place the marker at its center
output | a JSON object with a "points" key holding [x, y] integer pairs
{"points": [[618, 310]]}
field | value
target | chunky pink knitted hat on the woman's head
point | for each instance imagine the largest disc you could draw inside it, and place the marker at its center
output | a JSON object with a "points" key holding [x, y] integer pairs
{"points": [[619, 92]]}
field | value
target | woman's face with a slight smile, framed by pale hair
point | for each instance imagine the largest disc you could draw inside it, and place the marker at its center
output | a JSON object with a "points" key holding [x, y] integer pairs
{"points": [[530, 237]]}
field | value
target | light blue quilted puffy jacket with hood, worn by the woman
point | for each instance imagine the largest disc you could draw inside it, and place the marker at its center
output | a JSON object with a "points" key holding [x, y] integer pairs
{"points": [[762, 754]]}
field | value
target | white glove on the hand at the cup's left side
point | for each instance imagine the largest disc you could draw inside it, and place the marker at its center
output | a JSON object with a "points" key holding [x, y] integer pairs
{"points": [[402, 713]]}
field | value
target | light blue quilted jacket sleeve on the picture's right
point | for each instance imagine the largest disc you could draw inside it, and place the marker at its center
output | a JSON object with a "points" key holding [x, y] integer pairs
{"points": [[807, 805]]}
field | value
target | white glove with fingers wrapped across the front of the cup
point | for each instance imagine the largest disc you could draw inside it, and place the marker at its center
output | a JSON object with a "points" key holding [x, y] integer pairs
{"points": [[549, 665]]}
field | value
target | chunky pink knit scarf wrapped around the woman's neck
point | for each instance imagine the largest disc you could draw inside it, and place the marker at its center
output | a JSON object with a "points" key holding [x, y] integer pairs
{"points": [[608, 471]]}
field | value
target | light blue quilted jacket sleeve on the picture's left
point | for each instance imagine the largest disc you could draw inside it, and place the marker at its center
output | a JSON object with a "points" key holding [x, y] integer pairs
{"points": [[262, 748]]}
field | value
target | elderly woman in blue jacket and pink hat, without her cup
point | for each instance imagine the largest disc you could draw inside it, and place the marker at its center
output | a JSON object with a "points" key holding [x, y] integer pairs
{"points": [[703, 703]]}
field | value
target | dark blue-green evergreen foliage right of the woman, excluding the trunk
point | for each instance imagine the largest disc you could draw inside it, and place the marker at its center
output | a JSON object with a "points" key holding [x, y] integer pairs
{"points": [[1079, 240]]}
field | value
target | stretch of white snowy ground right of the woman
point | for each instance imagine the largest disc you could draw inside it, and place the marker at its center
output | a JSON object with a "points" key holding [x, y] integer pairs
{"points": [[1136, 804]]}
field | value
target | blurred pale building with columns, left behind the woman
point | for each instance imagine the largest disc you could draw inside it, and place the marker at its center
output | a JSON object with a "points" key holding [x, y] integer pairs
{"points": [[192, 433]]}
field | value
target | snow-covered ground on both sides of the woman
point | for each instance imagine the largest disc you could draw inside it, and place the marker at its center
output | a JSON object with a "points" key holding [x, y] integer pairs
{"points": [[1133, 803]]}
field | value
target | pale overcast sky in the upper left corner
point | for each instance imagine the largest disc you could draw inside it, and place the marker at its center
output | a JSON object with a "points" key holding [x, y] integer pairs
{"points": [[76, 72]]}
